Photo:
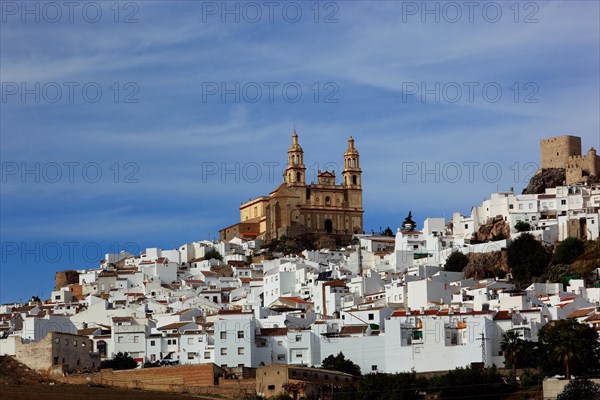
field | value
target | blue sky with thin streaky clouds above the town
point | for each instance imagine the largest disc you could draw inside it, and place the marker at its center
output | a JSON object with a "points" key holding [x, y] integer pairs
{"points": [[147, 127]]}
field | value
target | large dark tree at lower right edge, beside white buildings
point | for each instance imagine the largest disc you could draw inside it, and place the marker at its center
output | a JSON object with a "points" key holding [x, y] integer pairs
{"points": [[569, 347]]}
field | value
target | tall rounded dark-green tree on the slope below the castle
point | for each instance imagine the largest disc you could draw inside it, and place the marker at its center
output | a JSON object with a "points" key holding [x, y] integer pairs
{"points": [[527, 258]]}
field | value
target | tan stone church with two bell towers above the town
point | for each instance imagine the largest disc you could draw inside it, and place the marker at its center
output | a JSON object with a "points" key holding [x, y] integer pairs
{"points": [[295, 208]]}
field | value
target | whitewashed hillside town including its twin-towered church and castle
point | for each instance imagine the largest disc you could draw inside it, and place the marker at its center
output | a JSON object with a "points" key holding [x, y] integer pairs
{"points": [[389, 301]]}
